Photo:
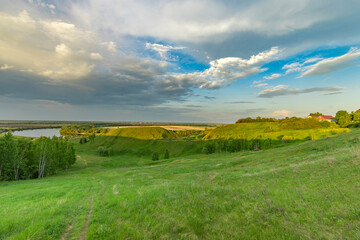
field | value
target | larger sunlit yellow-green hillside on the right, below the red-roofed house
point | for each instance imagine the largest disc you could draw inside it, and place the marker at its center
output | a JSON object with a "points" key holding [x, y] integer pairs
{"points": [[271, 130]]}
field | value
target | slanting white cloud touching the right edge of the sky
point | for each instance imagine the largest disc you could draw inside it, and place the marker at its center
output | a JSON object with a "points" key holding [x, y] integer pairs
{"points": [[332, 64]]}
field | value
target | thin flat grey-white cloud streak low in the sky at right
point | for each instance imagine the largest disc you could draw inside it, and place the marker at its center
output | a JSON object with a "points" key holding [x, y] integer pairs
{"points": [[282, 90]]}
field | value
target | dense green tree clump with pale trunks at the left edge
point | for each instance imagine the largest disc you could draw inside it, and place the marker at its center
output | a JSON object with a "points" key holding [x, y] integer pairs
{"points": [[22, 158]]}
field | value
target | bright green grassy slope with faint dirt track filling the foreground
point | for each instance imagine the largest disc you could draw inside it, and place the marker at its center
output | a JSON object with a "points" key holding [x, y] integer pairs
{"points": [[308, 190]]}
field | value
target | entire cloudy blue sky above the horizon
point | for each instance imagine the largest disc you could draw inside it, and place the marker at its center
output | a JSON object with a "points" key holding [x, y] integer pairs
{"points": [[177, 60]]}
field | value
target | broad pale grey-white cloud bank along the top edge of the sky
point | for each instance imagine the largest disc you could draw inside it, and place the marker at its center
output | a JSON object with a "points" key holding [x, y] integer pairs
{"points": [[200, 21]]}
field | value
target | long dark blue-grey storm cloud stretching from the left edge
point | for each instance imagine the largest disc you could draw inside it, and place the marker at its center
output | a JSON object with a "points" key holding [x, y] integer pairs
{"points": [[131, 82]]}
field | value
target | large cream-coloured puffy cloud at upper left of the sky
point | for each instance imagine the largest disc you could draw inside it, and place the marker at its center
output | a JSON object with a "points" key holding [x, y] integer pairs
{"points": [[54, 49]]}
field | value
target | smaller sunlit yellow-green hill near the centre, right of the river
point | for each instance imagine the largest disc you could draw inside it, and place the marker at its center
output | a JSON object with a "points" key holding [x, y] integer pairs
{"points": [[142, 133]]}
